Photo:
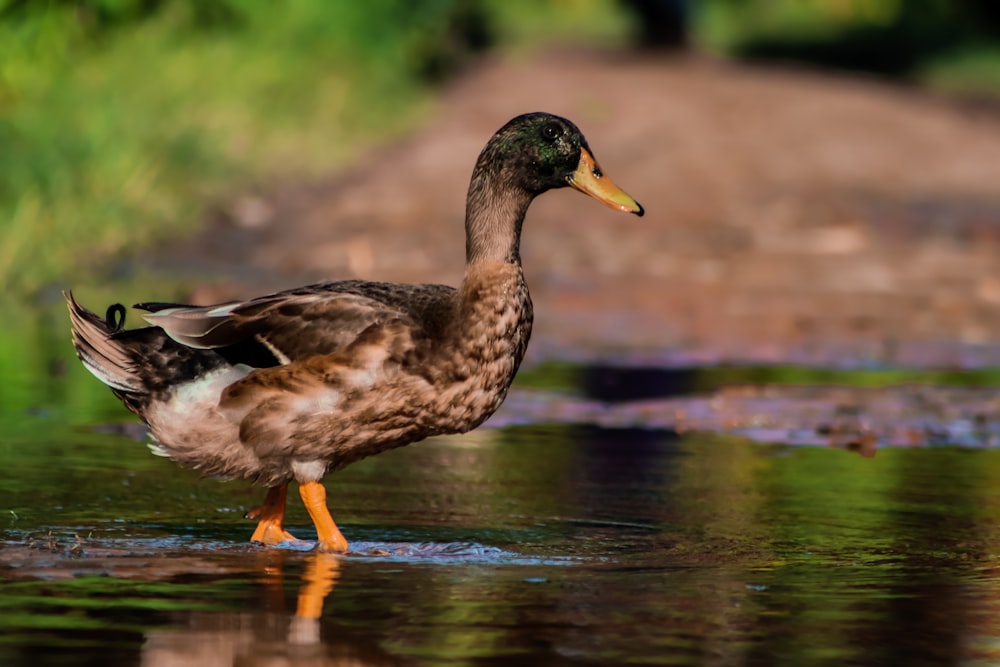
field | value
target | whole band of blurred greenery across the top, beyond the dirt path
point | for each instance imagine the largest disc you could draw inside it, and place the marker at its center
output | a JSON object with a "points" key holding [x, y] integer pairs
{"points": [[125, 121]]}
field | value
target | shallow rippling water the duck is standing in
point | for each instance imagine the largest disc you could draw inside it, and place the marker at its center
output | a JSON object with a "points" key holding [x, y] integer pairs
{"points": [[586, 524]]}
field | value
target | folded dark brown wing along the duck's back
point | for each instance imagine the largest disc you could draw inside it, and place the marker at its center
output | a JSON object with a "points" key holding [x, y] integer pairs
{"points": [[292, 325]]}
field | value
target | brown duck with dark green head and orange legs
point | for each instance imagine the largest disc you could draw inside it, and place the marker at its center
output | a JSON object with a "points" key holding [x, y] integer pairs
{"points": [[295, 385]]}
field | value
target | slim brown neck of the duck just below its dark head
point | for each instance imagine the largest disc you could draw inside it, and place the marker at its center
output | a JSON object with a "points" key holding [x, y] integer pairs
{"points": [[494, 214]]}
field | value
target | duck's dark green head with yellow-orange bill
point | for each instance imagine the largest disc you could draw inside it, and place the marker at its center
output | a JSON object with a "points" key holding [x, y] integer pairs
{"points": [[541, 151]]}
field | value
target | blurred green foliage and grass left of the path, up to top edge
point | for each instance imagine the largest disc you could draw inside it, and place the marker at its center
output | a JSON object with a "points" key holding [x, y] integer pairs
{"points": [[121, 119]]}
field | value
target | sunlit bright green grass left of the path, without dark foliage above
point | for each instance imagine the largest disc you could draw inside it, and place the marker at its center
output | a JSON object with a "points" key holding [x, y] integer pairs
{"points": [[116, 142]]}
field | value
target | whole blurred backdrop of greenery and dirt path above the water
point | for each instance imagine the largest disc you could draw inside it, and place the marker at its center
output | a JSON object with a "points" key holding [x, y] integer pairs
{"points": [[821, 176]]}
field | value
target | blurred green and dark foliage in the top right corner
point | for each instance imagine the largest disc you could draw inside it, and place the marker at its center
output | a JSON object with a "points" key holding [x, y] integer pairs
{"points": [[891, 37]]}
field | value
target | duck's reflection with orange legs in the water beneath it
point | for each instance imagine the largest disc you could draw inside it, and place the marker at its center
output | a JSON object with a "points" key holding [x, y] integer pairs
{"points": [[271, 636]]}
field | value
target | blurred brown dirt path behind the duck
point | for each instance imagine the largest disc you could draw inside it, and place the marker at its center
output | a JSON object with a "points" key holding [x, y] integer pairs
{"points": [[791, 215]]}
